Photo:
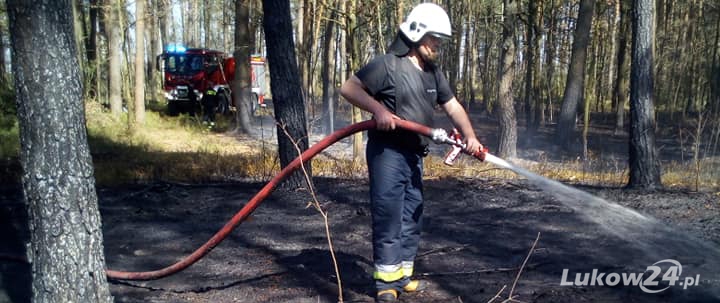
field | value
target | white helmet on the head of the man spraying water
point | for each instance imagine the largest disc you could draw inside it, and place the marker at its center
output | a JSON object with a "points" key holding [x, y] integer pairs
{"points": [[426, 18]]}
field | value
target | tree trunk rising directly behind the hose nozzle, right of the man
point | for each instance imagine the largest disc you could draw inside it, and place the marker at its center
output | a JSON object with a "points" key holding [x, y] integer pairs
{"points": [[506, 111]]}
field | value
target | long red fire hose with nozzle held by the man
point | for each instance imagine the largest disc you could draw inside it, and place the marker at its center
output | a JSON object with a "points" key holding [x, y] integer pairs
{"points": [[438, 135]]}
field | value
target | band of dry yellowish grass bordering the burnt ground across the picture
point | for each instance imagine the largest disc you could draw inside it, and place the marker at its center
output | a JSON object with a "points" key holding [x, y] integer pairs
{"points": [[181, 149]]}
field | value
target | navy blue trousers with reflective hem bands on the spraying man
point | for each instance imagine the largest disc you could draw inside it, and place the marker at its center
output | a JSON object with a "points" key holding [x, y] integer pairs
{"points": [[397, 206]]}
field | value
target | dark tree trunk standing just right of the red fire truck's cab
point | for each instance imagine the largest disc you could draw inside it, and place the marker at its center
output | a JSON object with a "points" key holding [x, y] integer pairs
{"points": [[242, 90]]}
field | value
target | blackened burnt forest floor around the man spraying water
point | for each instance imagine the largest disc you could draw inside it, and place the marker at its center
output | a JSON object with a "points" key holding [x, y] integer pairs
{"points": [[477, 235]]}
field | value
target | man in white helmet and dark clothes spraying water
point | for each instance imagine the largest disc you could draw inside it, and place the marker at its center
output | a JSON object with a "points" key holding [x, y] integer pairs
{"points": [[406, 83]]}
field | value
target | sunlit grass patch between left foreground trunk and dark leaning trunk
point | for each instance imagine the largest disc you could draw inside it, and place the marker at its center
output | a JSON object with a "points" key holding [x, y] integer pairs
{"points": [[178, 149]]}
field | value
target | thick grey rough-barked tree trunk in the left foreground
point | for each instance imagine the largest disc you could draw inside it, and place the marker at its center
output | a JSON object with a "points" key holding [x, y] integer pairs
{"points": [[66, 248]]}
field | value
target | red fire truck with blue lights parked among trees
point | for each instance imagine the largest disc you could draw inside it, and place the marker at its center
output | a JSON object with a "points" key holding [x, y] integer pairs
{"points": [[189, 72]]}
